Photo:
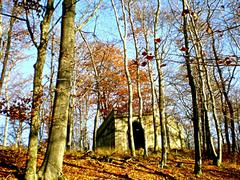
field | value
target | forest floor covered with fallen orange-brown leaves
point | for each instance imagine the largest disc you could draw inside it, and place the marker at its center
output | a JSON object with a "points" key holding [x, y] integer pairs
{"points": [[88, 165]]}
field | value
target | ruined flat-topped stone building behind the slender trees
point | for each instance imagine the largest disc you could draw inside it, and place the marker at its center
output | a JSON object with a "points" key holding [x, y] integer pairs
{"points": [[113, 133]]}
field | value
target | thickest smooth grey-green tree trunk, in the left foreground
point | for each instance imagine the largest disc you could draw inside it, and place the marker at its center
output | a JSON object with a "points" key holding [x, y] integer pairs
{"points": [[54, 161]]}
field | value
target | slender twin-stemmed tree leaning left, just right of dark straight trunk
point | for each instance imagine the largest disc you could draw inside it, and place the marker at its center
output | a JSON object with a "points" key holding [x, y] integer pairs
{"points": [[204, 77]]}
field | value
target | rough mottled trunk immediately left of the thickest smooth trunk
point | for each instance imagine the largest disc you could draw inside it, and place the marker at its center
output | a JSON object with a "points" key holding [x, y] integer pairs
{"points": [[37, 94]]}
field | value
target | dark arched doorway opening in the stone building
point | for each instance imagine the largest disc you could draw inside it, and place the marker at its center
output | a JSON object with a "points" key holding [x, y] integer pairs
{"points": [[138, 135]]}
